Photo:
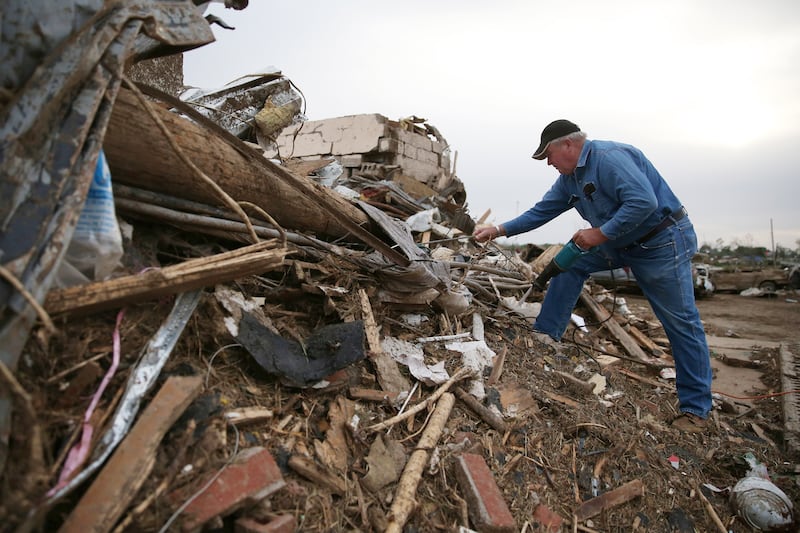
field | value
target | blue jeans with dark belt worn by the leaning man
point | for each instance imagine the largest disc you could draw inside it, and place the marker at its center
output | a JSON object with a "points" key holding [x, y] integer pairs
{"points": [[663, 270]]}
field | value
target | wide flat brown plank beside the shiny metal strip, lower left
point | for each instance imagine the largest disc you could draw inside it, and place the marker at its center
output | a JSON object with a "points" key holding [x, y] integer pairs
{"points": [[119, 481]]}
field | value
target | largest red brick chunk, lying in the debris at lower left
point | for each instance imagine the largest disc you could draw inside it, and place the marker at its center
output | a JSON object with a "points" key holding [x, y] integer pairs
{"points": [[251, 477]]}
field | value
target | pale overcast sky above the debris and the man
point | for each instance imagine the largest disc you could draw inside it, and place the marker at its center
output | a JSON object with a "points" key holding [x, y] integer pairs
{"points": [[710, 90]]}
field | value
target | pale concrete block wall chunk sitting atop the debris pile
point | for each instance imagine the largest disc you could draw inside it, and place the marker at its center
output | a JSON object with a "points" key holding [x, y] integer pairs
{"points": [[367, 139]]}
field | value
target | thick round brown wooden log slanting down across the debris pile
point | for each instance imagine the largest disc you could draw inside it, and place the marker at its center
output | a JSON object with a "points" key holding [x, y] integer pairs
{"points": [[139, 155]]}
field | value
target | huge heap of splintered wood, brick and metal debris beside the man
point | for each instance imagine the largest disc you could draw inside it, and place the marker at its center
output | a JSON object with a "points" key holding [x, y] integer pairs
{"points": [[313, 343]]}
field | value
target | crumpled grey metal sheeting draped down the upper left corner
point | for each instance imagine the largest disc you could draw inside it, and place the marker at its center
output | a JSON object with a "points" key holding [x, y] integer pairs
{"points": [[60, 66]]}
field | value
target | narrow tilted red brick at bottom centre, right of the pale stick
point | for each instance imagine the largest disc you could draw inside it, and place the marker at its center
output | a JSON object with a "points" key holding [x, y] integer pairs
{"points": [[487, 508]]}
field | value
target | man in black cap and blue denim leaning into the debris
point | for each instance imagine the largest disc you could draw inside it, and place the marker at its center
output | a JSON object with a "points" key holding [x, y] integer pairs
{"points": [[638, 222]]}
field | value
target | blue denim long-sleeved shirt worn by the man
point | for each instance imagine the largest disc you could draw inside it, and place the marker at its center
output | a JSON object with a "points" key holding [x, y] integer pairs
{"points": [[614, 187]]}
